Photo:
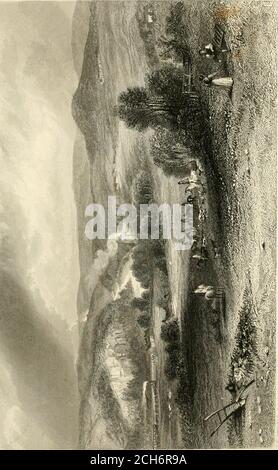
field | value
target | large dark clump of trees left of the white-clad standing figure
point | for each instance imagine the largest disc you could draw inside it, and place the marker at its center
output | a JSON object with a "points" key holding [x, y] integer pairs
{"points": [[162, 104]]}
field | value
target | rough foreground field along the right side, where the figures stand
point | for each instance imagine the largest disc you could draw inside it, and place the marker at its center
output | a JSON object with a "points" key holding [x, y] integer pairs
{"points": [[240, 168]]}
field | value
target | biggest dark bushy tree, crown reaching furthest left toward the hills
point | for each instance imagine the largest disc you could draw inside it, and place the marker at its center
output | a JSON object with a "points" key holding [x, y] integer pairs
{"points": [[157, 104]]}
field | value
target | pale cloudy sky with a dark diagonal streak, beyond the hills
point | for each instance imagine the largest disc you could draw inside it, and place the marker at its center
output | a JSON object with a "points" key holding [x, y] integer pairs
{"points": [[39, 267]]}
